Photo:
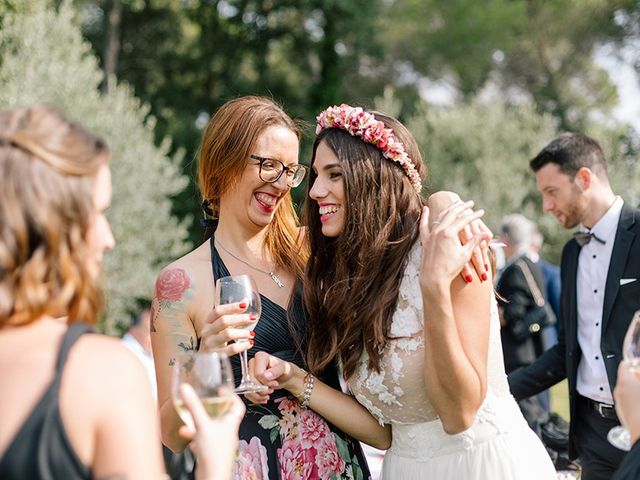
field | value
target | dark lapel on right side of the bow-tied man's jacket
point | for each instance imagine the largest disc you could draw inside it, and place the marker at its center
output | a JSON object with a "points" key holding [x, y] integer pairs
{"points": [[619, 255]]}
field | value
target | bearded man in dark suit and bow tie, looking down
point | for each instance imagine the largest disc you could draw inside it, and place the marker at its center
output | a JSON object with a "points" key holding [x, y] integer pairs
{"points": [[600, 271]]}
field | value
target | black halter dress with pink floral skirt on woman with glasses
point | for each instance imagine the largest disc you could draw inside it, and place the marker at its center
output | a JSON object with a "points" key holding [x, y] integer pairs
{"points": [[281, 440]]}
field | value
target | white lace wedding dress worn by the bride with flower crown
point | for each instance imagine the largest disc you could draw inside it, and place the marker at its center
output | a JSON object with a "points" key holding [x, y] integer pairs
{"points": [[499, 445]]}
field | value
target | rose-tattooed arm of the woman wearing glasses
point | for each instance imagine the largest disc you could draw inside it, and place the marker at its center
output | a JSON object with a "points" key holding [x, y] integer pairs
{"points": [[172, 333]]}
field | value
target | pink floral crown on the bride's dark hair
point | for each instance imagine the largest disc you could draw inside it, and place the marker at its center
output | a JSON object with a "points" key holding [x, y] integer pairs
{"points": [[363, 124]]}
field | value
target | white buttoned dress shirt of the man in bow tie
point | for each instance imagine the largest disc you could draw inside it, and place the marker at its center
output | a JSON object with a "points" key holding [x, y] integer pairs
{"points": [[593, 266]]}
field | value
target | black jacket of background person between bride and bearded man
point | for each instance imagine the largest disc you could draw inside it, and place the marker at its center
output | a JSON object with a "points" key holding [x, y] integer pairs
{"points": [[517, 303]]}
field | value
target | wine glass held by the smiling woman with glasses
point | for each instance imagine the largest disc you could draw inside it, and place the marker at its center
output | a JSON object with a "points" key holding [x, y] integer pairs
{"points": [[242, 288]]}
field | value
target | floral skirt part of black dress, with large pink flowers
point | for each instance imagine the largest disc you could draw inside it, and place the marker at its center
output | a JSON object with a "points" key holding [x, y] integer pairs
{"points": [[282, 440]]}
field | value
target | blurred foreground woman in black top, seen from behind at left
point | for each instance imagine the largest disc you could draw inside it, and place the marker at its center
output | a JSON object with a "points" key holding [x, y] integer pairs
{"points": [[73, 404]]}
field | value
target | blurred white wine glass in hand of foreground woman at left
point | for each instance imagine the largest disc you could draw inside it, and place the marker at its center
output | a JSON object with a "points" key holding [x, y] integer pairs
{"points": [[210, 375]]}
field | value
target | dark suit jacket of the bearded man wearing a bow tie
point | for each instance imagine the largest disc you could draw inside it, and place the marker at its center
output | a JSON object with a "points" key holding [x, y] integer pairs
{"points": [[620, 303]]}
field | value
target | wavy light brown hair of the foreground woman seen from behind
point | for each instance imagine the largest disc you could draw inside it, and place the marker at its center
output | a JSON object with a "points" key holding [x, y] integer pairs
{"points": [[47, 170]]}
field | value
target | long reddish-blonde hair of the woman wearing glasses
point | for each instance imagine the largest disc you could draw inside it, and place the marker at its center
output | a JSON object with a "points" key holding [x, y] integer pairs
{"points": [[227, 142]]}
